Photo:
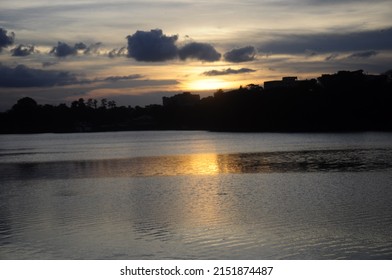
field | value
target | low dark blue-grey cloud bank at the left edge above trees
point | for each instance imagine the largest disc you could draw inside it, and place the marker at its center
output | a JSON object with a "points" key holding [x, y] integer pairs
{"points": [[23, 76]]}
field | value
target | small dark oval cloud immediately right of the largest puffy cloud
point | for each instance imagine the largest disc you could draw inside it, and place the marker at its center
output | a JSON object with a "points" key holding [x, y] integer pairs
{"points": [[199, 51]]}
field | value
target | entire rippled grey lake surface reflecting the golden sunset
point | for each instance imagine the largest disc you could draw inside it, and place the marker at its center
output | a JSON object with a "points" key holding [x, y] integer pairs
{"points": [[196, 195]]}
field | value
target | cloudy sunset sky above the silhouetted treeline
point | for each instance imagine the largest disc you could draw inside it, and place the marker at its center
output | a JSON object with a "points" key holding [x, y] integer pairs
{"points": [[136, 52]]}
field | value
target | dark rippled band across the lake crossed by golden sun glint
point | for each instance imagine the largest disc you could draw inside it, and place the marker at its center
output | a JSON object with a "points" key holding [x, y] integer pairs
{"points": [[354, 160]]}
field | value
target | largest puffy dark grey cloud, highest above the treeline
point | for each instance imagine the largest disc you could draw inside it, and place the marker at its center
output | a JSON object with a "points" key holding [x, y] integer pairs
{"points": [[152, 46]]}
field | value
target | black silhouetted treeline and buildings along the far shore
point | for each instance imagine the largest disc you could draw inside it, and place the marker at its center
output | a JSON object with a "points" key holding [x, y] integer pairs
{"points": [[345, 101]]}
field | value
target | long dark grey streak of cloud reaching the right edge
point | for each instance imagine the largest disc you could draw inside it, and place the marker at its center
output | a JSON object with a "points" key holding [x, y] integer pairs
{"points": [[330, 42]]}
